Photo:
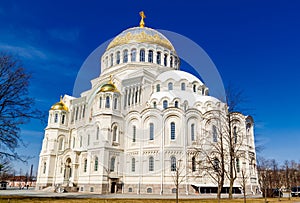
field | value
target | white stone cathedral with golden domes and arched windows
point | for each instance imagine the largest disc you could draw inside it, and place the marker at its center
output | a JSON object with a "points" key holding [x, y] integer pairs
{"points": [[144, 126]]}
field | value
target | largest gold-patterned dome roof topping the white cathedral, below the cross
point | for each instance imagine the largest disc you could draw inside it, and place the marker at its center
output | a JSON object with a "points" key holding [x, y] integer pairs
{"points": [[141, 35]]}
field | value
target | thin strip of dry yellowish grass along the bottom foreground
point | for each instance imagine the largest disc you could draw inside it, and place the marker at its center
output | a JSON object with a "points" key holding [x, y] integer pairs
{"points": [[22, 199]]}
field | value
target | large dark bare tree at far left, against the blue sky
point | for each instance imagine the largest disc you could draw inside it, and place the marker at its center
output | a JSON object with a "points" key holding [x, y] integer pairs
{"points": [[16, 107]]}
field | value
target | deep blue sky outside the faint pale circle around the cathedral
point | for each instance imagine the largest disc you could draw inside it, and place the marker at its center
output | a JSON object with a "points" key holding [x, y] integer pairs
{"points": [[254, 45]]}
